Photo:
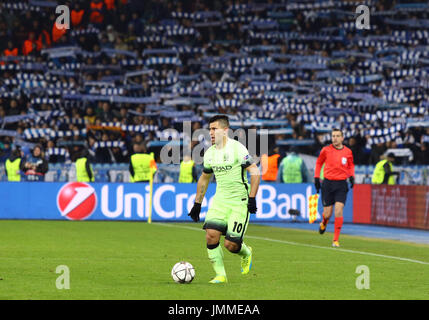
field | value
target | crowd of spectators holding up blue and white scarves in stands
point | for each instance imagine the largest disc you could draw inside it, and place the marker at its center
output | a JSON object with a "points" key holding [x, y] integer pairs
{"points": [[126, 70]]}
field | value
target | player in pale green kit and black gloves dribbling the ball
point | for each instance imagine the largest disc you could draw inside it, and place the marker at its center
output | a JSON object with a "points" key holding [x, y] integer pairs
{"points": [[228, 159]]}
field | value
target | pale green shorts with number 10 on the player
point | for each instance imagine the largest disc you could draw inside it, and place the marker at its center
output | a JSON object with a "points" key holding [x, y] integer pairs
{"points": [[229, 217]]}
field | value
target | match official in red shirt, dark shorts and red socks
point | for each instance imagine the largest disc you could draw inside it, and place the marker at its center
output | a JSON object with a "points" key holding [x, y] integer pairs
{"points": [[339, 167]]}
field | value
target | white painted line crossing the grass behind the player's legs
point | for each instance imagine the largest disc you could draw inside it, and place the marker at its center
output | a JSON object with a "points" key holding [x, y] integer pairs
{"points": [[308, 245]]}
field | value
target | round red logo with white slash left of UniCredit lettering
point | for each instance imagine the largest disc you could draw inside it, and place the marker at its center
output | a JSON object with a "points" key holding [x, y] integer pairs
{"points": [[76, 200]]}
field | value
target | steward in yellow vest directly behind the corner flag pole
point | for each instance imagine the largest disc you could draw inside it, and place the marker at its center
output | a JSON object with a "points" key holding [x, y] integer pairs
{"points": [[142, 164]]}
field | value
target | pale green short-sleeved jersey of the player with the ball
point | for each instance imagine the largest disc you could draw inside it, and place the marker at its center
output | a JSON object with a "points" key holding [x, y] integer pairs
{"points": [[229, 167]]}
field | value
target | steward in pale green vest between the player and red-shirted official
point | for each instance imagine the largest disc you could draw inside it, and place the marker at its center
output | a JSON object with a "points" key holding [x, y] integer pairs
{"points": [[293, 169]]}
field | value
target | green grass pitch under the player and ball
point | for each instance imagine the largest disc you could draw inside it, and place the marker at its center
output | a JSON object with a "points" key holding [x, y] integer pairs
{"points": [[133, 260]]}
